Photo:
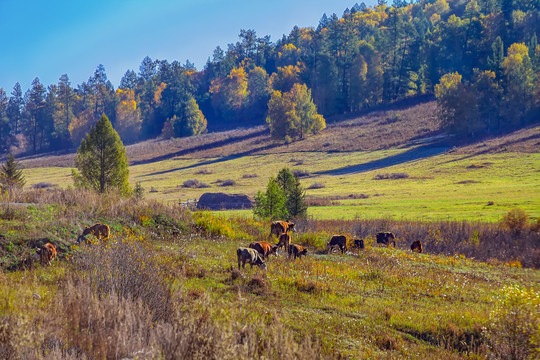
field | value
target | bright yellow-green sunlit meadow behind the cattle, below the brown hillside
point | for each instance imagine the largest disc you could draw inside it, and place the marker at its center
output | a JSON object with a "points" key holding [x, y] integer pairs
{"points": [[438, 187]]}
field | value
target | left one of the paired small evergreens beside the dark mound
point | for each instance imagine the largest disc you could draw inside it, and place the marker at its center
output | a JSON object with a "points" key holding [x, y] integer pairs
{"points": [[271, 204]]}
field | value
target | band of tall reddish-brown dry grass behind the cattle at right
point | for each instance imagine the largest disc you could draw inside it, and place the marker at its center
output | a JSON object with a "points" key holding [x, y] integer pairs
{"points": [[486, 242]]}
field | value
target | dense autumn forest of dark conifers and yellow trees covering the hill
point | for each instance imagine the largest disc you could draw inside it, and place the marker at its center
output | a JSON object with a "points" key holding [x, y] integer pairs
{"points": [[480, 58]]}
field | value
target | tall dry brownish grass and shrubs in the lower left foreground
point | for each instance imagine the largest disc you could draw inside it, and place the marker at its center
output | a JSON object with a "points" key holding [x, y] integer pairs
{"points": [[117, 301]]}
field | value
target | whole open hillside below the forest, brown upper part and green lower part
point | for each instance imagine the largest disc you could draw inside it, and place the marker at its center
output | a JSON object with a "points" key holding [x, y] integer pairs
{"points": [[443, 183]]}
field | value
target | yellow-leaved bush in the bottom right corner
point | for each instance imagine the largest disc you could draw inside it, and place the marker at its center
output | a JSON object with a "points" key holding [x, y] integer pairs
{"points": [[513, 330]]}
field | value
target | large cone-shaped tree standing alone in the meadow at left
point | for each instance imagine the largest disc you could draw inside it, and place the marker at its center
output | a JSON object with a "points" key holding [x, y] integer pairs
{"points": [[101, 160]]}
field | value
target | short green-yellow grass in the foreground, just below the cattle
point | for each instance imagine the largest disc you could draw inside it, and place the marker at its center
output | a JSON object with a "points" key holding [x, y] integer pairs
{"points": [[377, 303]]}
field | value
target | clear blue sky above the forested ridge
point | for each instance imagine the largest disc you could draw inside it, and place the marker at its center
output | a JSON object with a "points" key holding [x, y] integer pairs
{"points": [[47, 38]]}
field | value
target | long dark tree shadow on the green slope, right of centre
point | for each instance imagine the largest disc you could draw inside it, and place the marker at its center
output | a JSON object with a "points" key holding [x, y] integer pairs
{"points": [[417, 153]]}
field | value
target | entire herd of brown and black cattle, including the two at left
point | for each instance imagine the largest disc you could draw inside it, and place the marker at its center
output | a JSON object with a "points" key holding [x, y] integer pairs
{"points": [[257, 252]]}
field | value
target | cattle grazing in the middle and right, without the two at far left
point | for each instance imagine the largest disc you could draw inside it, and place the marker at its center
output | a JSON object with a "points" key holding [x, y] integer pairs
{"points": [[256, 253]]}
